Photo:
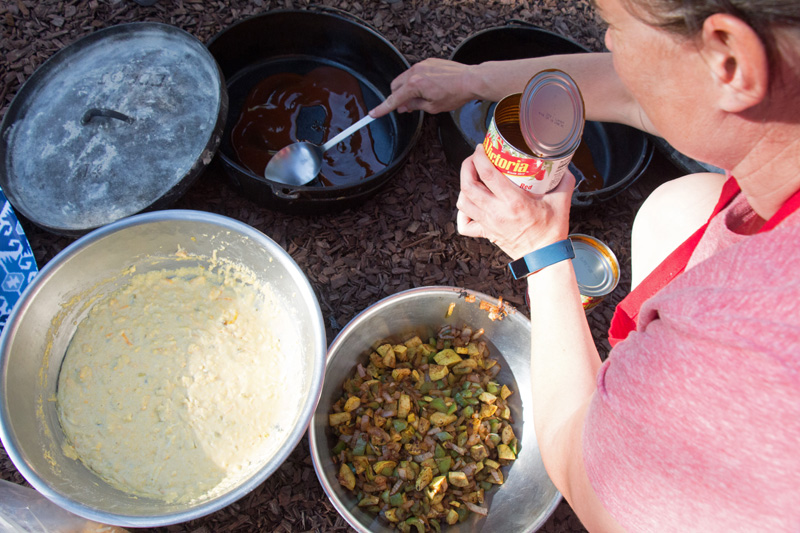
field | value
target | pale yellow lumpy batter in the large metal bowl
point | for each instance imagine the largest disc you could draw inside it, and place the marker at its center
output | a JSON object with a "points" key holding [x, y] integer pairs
{"points": [[172, 385]]}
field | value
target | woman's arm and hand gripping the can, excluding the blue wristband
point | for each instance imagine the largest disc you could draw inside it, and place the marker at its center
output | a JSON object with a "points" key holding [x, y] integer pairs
{"points": [[564, 359]]}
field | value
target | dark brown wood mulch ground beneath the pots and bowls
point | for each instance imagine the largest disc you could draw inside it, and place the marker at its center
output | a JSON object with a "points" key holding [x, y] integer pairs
{"points": [[403, 237]]}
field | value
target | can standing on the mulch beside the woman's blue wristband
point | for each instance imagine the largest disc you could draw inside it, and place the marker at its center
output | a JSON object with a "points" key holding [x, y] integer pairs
{"points": [[596, 269]]}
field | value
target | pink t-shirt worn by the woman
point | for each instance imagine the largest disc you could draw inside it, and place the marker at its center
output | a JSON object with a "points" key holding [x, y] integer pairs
{"points": [[696, 422]]}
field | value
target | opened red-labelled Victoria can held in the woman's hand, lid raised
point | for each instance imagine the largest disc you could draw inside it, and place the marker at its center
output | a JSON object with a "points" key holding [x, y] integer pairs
{"points": [[533, 134]]}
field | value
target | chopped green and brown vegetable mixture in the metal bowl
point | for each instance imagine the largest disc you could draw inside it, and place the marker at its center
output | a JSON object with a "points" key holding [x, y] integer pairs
{"points": [[424, 429]]}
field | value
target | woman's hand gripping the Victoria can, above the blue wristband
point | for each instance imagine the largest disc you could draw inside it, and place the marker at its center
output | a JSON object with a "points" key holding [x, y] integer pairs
{"points": [[492, 206]]}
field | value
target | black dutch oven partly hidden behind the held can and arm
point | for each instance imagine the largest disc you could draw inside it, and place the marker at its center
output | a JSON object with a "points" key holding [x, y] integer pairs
{"points": [[620, 154]]}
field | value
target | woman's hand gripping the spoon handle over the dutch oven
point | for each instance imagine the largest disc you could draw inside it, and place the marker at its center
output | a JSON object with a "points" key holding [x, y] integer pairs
{"points": [[433, 85]]}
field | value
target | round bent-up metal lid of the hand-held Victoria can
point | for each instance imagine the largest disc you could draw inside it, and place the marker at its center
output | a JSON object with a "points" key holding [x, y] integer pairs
{"points": [[551, 114]]}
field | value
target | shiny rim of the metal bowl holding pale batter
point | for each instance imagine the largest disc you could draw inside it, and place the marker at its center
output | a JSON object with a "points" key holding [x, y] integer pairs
{"points": [[205, 507]]}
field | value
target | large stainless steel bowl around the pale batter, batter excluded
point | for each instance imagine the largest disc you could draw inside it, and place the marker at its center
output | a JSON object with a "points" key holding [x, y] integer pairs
{"points": [[37, 333]]}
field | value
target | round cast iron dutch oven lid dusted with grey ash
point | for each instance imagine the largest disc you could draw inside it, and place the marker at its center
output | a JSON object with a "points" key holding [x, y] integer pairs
{"points": [[118, 122]]}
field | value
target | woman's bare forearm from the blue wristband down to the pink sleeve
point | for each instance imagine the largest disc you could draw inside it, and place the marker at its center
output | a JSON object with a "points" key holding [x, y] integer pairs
{"points": [[564, 363]]}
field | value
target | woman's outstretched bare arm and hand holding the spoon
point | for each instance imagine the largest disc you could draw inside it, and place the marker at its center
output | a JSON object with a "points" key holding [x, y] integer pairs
{"points": [[437, 85]]}
